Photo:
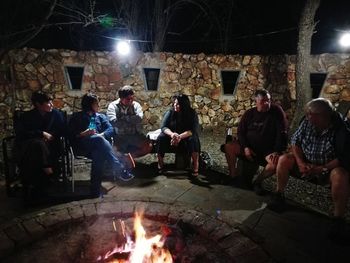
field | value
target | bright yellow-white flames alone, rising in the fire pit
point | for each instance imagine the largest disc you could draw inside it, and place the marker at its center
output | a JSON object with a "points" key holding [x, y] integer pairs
{"points": [[143, 250]]}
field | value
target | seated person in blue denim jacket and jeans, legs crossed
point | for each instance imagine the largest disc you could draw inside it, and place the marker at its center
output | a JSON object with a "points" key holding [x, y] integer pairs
{"points": [[90, 132]]}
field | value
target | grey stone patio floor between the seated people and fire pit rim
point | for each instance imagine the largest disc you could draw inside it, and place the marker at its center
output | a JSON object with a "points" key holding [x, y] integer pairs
{"points": [[298, 235]]}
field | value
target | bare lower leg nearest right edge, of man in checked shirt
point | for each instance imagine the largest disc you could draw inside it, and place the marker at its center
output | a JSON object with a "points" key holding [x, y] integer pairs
{"points": [[340, 190]]}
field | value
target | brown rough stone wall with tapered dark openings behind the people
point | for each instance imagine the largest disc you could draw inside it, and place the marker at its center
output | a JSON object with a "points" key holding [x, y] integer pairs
{"points": [[195, 75]]}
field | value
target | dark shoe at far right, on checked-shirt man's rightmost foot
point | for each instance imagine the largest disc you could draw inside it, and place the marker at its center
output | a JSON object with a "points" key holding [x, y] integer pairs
{"points": [[338, 231]]}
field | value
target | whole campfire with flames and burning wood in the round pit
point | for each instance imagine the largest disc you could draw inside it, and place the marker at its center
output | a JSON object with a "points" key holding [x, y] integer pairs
{"points": [[136, 246]]}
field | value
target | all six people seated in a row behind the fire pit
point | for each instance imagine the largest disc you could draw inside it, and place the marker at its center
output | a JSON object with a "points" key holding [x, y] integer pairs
{"points": [[318, 151]]}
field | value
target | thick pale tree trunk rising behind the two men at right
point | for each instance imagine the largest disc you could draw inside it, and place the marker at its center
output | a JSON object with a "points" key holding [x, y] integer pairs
{"points": [[303, 89]]}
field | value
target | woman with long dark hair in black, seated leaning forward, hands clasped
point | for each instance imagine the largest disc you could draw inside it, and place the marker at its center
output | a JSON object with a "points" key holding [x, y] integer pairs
{"points": [[179, 129]]}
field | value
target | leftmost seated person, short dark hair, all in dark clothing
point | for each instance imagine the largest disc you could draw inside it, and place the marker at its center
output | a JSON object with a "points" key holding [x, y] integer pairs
{"points": [[37, 138]]}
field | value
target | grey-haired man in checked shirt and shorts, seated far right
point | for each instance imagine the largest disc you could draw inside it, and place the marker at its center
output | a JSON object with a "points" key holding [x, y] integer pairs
{"points": [[320, 152]]}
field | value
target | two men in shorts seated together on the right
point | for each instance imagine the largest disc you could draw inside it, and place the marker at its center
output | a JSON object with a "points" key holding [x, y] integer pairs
{"points": [[319, 151]]}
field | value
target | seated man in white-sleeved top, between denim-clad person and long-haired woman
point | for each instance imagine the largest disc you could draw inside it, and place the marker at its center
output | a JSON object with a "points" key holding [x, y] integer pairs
{"points": [[126, 115]]}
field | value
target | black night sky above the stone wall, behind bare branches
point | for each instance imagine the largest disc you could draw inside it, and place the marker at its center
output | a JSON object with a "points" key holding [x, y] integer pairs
{"points": [[242, 26]]}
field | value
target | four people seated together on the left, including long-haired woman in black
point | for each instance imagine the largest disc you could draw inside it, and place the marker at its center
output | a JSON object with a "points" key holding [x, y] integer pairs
{"points": [[116, 137]]}
